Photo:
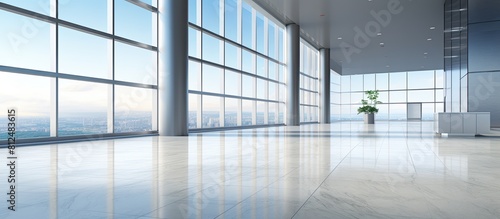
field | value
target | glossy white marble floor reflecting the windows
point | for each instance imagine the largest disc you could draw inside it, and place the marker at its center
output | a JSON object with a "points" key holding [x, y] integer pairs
{"points": [[342, 170]]}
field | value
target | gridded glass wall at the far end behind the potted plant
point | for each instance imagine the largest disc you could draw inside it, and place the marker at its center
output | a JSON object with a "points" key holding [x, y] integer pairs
{"points": [[396, 90]]}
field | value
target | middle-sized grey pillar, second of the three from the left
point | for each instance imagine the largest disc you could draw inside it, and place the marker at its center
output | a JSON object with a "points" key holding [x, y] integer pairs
{"points": [[293, 68]]}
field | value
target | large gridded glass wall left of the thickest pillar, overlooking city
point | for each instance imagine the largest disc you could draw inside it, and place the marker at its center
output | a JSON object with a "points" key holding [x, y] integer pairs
{"points": [[74, 68]]}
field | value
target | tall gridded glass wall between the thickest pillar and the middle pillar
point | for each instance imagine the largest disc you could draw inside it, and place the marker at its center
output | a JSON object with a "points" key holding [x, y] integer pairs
{"points": [[236, 65]]}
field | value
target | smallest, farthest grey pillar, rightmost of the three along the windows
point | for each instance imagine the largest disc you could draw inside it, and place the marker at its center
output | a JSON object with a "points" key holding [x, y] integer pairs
{"points": [[325, 86]]}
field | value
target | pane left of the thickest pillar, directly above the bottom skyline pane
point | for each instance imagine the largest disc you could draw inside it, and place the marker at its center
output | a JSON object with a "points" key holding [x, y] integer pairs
{"points": [[134, 64]]}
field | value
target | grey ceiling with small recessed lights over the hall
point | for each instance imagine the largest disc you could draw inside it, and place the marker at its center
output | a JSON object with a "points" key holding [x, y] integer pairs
{"points": [[405, 36]]}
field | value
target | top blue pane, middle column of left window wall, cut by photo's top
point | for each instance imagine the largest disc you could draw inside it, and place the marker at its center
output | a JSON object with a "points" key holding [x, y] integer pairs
{"points": [[93, 14]]}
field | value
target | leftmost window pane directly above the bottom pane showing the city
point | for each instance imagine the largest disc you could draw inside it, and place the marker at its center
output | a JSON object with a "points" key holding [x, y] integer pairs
{"points": [[29, 47]]}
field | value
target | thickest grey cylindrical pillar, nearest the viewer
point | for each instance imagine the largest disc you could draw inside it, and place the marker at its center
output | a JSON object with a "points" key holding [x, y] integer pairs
{"points": [[173, 68]]}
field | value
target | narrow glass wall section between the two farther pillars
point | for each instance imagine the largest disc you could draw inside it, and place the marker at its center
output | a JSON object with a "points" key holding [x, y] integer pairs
{"points": [[309, 83]]}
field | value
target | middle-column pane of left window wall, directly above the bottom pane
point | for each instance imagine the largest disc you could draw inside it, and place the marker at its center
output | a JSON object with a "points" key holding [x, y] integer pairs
{"points": [[84, 54]]}
